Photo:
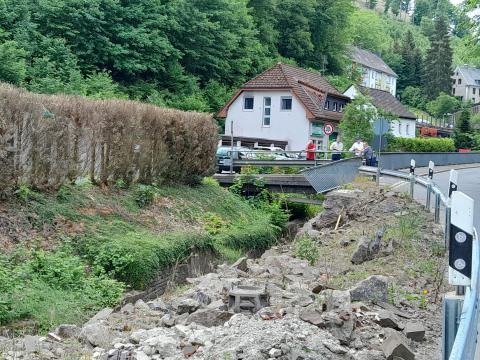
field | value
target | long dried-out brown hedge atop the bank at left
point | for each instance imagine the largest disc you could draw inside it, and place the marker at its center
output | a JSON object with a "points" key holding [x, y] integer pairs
{"points": [[46, 141]]}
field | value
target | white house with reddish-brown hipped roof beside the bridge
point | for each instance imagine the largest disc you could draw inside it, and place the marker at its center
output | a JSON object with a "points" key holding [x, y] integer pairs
{"points": [[285, 103]]}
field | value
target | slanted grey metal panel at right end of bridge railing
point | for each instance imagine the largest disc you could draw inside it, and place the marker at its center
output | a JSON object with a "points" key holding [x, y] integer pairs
{"points": [[330, 176]]}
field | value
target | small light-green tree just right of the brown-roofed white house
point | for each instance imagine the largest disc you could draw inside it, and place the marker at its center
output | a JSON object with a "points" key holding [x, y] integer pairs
{"points": [[357, 120]]}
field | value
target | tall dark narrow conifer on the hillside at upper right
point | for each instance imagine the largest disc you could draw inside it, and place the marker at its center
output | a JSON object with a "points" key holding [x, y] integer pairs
{"points": [[438, 63]]}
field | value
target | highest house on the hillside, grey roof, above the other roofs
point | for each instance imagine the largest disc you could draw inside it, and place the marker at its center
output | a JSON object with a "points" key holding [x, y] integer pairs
{"points": [[376, 74]]}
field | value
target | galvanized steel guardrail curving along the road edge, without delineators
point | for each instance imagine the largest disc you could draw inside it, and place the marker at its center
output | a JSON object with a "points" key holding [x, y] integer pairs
{"points": [[461, 311]]}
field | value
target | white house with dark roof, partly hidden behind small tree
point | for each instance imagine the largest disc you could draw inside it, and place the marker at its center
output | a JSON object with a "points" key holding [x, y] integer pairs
{"points": [[404, 125]]}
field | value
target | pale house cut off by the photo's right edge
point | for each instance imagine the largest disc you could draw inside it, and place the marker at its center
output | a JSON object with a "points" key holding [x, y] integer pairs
{"points": [[466, 83]]}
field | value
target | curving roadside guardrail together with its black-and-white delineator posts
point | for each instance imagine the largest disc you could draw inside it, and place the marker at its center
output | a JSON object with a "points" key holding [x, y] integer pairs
{"points": [[460, 308]]}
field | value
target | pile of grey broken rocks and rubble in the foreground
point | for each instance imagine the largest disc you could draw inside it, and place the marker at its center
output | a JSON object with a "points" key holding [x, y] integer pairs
{"points": [[274, 307]]}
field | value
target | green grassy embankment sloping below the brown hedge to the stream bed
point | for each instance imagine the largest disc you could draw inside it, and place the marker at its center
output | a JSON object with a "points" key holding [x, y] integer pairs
{"points": [[78, 249]]}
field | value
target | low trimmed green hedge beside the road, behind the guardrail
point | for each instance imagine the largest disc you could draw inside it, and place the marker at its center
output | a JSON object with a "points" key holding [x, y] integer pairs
{"points": [[421, 145]]}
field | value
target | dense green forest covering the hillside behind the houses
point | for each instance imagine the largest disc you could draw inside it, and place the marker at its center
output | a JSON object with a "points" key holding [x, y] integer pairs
{"points": [[192, 54]]}
